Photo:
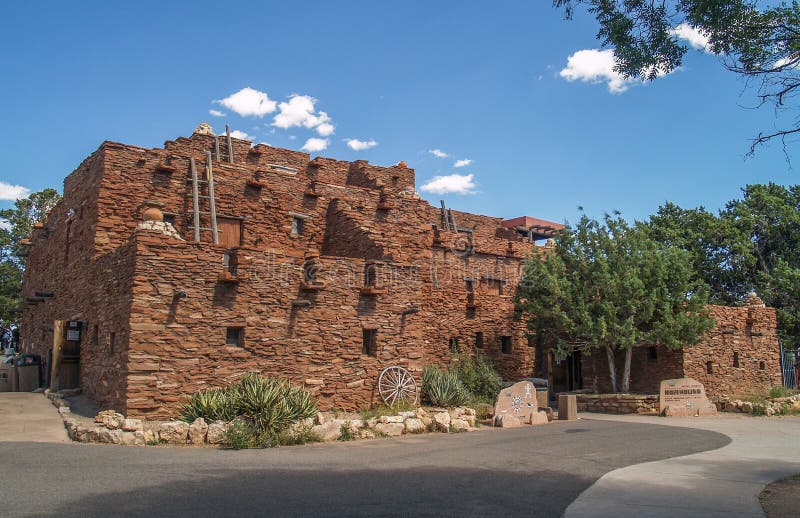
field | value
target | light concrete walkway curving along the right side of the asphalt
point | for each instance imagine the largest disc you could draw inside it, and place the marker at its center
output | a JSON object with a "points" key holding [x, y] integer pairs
{"points": [[723, 482]]}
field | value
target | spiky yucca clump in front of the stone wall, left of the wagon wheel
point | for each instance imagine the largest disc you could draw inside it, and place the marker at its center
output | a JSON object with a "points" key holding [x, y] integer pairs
{"points": [[264, 408]]}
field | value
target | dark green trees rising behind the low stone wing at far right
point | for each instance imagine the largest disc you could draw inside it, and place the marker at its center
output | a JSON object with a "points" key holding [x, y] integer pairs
{"points": [[752, 244]]}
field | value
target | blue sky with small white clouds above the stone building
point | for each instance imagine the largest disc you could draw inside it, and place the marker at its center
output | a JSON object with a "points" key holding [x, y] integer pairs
{"points": [[476, 81]]}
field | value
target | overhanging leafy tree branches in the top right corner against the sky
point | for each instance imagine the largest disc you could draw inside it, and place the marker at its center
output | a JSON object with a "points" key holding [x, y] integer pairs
{"points": [[759, 40]]}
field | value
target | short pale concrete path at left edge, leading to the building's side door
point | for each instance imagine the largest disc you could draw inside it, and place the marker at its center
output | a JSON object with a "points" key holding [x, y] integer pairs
{"points": [[29, 417]]}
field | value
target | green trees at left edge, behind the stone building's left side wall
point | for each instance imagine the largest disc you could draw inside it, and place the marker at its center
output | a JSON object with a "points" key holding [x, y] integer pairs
{"points": [[18, 224]]}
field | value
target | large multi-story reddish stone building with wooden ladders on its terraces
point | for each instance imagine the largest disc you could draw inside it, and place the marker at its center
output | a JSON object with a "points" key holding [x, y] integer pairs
{"points": [[319, 271]]}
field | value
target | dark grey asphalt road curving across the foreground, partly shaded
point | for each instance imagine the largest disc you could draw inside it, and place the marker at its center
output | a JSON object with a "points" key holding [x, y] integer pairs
{"points": [[534, 471]]}
